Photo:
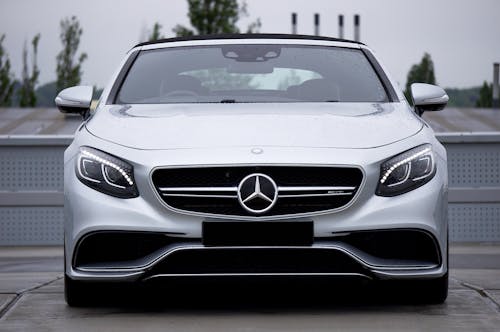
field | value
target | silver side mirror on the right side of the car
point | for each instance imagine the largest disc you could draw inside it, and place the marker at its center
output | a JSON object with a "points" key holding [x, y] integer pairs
{"points": [[427, 97]]}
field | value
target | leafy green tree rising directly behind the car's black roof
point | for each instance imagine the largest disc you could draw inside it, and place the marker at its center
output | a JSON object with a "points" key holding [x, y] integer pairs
{"points": [[215, 16]]}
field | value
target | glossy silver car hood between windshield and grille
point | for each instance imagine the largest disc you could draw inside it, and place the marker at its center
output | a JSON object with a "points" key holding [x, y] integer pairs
{"points": [[176, 126]]}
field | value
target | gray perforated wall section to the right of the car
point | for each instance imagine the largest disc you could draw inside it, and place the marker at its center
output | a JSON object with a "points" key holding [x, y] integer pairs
{"points": [[474, 181]]}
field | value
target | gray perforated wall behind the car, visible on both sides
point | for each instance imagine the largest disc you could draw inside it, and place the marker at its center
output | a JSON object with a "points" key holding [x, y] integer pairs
{"points": [[31, 188]]}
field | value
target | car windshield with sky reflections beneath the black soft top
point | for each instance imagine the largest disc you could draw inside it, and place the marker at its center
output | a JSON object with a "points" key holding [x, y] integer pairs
{"points": [[251, 73]]}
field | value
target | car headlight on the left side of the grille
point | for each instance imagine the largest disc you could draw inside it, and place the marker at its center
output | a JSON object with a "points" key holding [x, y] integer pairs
{"points": [[105, 173]]}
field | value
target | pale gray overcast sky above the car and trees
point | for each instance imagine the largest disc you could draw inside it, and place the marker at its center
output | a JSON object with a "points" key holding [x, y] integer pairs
{"points": [[463, 36]]}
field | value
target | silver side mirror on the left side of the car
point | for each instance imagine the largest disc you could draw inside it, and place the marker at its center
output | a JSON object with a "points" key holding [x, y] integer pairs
{"points": [[75, 100]]}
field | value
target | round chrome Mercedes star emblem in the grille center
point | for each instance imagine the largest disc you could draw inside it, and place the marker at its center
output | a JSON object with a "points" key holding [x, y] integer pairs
{"points": [[257, 193]]}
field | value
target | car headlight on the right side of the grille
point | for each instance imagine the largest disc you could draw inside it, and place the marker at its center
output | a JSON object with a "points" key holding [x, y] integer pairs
{"points": [[406, 171]]}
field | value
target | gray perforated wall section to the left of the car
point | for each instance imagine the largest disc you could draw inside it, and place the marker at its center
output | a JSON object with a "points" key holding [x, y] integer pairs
{"points": [[31, 189]]}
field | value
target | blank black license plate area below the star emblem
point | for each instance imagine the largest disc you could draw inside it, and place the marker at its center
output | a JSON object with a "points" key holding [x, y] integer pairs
{"points": [[284, 233]]}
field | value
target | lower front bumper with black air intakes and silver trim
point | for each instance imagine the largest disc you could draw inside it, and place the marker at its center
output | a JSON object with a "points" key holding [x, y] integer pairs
{"points": [[137, 256]]}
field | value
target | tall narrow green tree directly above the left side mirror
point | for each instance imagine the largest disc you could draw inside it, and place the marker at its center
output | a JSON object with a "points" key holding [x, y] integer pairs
{"points": [[68, 66]]}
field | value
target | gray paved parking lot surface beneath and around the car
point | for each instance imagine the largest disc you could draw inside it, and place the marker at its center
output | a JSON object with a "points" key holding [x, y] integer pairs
{"points": [[32, 299]]}
